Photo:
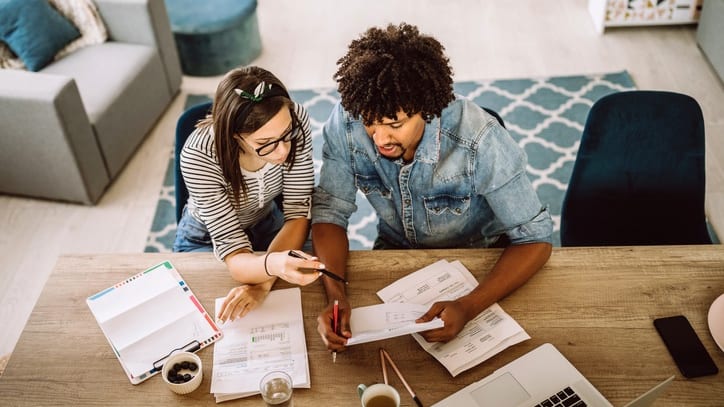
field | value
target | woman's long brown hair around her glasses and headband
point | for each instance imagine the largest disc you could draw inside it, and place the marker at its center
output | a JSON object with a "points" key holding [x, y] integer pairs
{"points": [[233, 115]]}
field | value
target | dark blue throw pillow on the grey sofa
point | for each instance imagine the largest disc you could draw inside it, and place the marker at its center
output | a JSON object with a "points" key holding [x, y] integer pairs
{"points": [[34, 31]]}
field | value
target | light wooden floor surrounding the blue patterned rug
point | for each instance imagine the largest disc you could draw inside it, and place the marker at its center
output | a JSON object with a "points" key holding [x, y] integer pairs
{"points": [[302, 41]]}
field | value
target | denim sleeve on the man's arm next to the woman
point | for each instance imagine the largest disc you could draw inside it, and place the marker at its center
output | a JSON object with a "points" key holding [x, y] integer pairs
{"points": [[333, 200]]}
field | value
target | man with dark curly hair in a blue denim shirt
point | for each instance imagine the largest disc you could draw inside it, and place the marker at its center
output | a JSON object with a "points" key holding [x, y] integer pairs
{"points": [[439, 171]]}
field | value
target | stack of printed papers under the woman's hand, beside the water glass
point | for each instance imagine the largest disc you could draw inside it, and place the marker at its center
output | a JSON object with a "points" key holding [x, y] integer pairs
{"points": [[270, 337]]}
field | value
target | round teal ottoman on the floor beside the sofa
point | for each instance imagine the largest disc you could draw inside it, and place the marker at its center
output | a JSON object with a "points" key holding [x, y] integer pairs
{"points": [[214, 36]]}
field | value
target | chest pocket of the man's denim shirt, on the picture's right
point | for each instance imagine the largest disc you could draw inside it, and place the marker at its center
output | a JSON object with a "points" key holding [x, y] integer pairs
{"points": [[446, 213]]}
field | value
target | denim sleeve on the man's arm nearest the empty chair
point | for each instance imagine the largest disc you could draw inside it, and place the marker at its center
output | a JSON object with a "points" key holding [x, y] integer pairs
{"points": [[501, 177]]}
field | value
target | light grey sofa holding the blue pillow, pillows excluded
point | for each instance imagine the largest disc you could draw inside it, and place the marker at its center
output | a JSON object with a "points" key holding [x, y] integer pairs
{"points": [[67, 131]]}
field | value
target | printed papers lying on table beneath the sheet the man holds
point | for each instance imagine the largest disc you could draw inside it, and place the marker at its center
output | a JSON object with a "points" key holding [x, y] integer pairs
{"points": [[482, 337]]}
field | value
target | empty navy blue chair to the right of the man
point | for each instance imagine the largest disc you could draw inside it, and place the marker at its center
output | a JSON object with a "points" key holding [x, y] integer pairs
{"points": [[639, 173]]}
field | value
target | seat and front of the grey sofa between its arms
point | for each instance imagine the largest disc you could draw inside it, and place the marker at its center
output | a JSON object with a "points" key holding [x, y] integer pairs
{"points": [[117, 82]]}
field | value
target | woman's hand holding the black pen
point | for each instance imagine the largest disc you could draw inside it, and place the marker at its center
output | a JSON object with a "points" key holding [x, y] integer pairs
{"points": [[296, 270]]}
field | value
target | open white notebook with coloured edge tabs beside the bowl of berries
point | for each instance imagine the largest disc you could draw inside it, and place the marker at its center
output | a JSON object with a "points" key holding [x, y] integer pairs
{"points": [[148, 317]]}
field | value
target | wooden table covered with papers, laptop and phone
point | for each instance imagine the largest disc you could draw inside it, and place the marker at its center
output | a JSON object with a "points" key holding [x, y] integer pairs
{"points": [[595, 304]]}
